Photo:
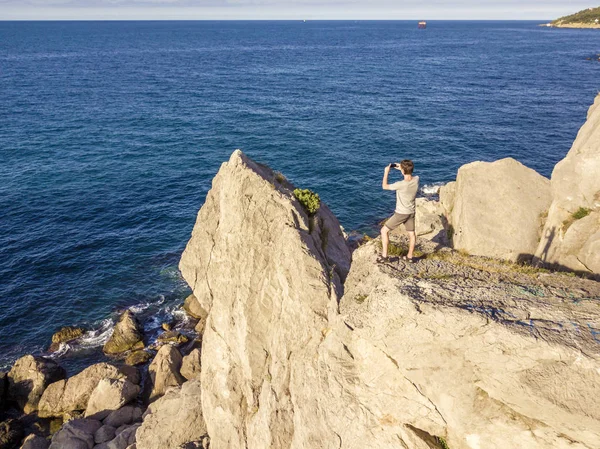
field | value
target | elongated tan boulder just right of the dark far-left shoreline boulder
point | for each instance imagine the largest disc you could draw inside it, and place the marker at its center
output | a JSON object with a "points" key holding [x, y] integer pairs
{"points": [[73, 394]]}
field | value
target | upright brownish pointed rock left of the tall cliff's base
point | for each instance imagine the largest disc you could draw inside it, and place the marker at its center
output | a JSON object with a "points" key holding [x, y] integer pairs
{"points": [[164, 372]]}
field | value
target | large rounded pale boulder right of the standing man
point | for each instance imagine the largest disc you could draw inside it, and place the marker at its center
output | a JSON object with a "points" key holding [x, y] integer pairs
{"points": [[498, 209]]}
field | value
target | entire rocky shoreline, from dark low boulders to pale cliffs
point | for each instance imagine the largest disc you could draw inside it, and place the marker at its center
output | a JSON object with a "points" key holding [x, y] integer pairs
{"points": [[301, 342]]}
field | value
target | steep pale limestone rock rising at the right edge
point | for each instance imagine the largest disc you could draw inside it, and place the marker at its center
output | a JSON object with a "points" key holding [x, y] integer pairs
{"points": [[571, 236]]}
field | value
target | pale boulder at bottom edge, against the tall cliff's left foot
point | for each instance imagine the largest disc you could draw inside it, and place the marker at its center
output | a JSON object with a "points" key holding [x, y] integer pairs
{"points": [[174, 419]]}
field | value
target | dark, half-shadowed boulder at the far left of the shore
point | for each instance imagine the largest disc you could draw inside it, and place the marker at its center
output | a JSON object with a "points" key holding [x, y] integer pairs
{"points": [[29, 377]]}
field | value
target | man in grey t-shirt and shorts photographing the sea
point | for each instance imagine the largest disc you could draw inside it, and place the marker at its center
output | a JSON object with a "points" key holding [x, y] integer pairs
{"points": [[406, 191]]}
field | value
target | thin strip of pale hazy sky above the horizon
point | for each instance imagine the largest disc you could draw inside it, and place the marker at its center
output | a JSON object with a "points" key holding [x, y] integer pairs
{"points": [[288, 9]]}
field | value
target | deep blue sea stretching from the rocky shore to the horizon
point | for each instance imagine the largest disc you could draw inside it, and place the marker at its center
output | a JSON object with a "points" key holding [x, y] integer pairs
{"points": [[110, 134]]}
